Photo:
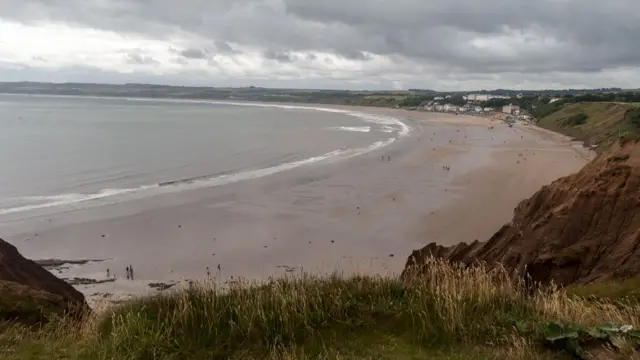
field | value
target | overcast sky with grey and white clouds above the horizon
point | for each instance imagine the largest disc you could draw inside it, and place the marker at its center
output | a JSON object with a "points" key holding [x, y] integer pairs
{"points": [[447, 45]]}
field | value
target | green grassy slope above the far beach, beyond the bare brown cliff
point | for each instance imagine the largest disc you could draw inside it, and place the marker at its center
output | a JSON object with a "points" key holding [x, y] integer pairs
{"points": [[601, 124]]}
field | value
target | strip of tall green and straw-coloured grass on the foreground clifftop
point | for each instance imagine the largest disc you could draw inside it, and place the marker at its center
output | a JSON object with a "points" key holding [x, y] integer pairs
{"points": [[452, 313]]}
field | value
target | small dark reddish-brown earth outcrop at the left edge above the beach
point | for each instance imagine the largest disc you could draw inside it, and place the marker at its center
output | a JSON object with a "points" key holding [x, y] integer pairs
{"points": [[22, 279]]}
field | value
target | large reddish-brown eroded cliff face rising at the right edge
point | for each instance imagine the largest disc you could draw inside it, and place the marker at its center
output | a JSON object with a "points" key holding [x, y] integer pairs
{"points": [[579, 229]]}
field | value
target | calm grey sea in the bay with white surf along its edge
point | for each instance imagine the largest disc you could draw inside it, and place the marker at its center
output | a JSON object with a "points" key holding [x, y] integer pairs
{"points": [[62, 152]]}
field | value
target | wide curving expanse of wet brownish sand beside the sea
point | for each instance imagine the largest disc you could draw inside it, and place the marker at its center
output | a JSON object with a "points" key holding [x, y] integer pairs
{"points": [[453, 179]]}
